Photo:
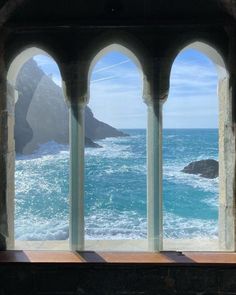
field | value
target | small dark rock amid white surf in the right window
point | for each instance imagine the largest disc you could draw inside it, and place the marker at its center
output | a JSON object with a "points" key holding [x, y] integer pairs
{"points": [[208, 168]]}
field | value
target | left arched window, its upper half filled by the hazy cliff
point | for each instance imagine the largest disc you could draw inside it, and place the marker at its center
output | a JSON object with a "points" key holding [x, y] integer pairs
{"points": [[41, 134]]}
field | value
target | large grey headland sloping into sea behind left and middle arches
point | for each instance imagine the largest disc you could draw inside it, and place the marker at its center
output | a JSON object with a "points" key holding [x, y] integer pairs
{"points": [[41, 113]]}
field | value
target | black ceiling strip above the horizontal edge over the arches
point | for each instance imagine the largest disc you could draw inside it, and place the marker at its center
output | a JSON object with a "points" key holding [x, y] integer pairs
{"points": [[117, 11]]}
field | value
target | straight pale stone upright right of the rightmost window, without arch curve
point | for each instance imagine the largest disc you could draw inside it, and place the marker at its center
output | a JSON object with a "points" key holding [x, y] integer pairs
{"points": [[226, 169]]}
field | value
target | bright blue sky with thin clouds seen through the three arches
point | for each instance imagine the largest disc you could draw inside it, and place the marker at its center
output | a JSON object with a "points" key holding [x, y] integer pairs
{"points": [[116, 91]]}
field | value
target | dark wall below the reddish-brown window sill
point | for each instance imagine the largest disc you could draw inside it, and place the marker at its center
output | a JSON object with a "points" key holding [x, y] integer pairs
{"points": [[116, 279]]}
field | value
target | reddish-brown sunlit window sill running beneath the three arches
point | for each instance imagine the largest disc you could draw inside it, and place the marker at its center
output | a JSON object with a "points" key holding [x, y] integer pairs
{"points": [[163, 258]]}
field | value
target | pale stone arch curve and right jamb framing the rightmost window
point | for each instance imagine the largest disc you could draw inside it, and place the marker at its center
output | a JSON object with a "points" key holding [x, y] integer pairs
{"points": [[226, 142]]}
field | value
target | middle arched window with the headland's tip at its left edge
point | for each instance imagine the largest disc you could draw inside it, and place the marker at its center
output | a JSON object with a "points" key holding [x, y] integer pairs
{"points": [[115, 160]]}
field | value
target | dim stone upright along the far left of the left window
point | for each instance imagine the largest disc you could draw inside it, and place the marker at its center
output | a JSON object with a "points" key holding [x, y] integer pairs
{"points": [[6, 157]]}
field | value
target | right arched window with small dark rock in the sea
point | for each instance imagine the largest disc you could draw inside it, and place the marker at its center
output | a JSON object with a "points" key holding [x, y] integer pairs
{"points": [[193, 136]]}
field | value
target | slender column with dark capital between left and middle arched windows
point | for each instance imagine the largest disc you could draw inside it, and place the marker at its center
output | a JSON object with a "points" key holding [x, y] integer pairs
{"points": [[76, 93]]}
